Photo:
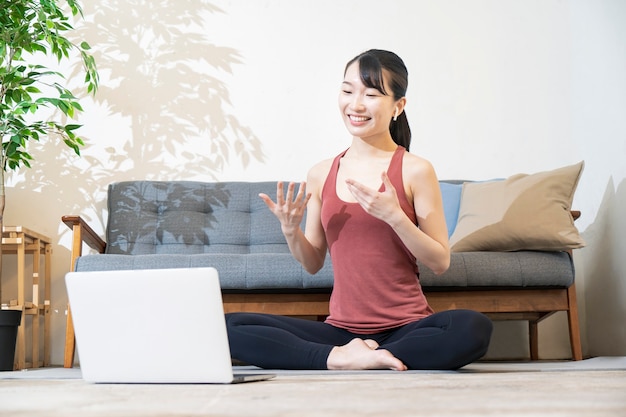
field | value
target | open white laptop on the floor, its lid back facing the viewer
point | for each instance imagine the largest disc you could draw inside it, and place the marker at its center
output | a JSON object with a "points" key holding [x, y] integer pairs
{"points": [[152, 326]]}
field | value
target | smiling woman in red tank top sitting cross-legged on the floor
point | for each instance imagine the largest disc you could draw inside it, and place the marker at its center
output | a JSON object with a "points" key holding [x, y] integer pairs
{"points": [[377, 209]]}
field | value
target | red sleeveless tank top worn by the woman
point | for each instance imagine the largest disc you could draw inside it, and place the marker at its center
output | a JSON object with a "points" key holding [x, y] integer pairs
{"points": [[376, 284]]}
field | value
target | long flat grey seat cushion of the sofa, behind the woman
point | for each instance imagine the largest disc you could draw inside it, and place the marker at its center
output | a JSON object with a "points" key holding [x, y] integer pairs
{"points": [[281, 272]]}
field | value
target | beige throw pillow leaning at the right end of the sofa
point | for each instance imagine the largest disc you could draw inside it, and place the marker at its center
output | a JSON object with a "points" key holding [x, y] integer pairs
{"points": [[523, 212]]}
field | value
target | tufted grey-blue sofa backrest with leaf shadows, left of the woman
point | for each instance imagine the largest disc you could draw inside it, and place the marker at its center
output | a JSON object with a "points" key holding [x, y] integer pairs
{"points": [[189, 217]]}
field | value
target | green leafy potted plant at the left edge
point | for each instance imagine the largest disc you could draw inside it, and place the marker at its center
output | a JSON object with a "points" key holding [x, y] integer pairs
{"points": [[30, 91]]}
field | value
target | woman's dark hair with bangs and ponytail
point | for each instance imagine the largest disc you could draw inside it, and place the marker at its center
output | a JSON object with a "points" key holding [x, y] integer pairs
{"points": [[371, 66]]}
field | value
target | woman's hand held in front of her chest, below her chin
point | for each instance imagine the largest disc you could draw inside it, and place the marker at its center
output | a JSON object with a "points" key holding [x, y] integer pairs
{"points": [[382, 205]]}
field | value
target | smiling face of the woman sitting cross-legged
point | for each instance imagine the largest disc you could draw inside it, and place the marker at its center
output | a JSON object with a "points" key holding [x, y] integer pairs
{"points": [[366, 112]]}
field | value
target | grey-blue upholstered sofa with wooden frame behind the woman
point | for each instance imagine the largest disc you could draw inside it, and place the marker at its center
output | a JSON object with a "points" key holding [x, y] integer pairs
{"points": [[181, 224]]}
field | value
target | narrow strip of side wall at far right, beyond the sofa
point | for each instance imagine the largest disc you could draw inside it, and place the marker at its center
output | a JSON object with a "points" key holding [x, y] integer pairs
{"points": [[598, 125]]}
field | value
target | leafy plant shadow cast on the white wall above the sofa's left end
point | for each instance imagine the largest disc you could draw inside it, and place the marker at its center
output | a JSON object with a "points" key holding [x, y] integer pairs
{"points": [[160, 76]]}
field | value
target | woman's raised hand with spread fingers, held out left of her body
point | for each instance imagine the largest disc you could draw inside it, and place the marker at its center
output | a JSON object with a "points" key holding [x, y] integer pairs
{"points": [[289, 209]]}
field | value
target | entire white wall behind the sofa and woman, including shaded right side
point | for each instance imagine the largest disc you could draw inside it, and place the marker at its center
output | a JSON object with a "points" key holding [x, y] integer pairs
{"points": [[246, 90]]}
